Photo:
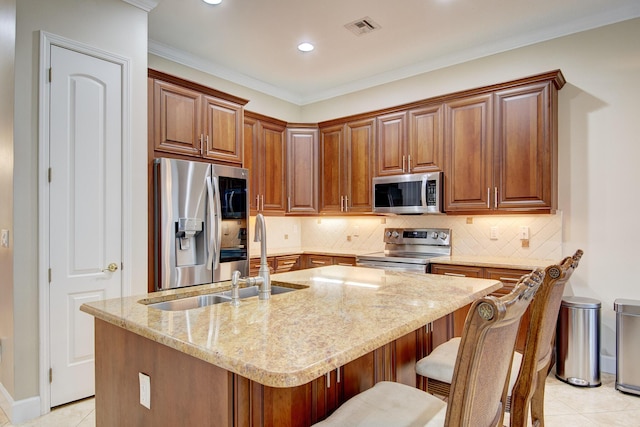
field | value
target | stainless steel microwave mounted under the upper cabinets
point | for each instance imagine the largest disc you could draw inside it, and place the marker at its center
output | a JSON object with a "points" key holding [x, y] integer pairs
{"points": [[419, 193]]}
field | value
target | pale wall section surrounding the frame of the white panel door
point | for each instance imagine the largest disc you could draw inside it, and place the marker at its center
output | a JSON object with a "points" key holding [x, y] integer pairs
{"points": [[110, 25]]}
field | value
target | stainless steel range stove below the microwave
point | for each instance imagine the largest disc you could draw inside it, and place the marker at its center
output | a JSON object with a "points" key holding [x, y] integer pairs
{"points": [[409, 249]]}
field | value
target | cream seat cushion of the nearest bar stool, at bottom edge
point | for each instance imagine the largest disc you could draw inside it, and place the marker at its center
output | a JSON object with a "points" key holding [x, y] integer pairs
{"points": [[389, 404]]}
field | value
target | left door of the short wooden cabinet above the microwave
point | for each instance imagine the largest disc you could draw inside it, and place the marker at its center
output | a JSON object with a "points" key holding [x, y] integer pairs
{"points": [[391, 144]]}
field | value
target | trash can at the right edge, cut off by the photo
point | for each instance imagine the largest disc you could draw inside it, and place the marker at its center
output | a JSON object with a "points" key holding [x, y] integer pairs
{"points": [[627, 345]]}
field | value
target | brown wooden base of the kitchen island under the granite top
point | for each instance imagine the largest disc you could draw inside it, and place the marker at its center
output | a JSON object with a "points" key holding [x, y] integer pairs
{"points": [[188, 391]]}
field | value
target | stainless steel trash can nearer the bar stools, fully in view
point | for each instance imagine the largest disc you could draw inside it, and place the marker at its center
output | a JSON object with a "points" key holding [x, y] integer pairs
{"points": [[578, 342]]}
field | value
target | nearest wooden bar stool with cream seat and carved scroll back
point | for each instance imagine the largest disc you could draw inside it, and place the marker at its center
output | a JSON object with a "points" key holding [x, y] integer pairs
{"points": [[480, 375]]}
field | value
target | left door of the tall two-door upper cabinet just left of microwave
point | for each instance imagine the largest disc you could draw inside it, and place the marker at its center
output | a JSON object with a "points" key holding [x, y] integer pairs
{"points": [[331, 168]]}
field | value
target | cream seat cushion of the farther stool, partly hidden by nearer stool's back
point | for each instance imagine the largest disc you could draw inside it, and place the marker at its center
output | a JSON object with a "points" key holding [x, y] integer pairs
{"points": [[438, 365]]}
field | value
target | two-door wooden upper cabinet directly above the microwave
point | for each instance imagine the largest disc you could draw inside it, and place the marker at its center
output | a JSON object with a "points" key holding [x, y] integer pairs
{"points": [[410, 141]]}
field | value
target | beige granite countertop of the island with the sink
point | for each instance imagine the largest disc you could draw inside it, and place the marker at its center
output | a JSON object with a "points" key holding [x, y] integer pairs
{"points": [[339, 314]]}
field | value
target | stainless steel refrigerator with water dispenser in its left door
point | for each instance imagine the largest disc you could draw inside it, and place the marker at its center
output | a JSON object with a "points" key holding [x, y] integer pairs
{"points": [[201, 217]]}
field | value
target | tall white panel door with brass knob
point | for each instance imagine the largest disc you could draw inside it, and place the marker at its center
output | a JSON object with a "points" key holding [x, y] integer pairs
{"points": [[85, 205]]}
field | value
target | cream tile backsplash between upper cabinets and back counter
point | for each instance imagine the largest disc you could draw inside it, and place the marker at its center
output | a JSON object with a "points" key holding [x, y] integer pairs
{"points": [[470, 235]]}
